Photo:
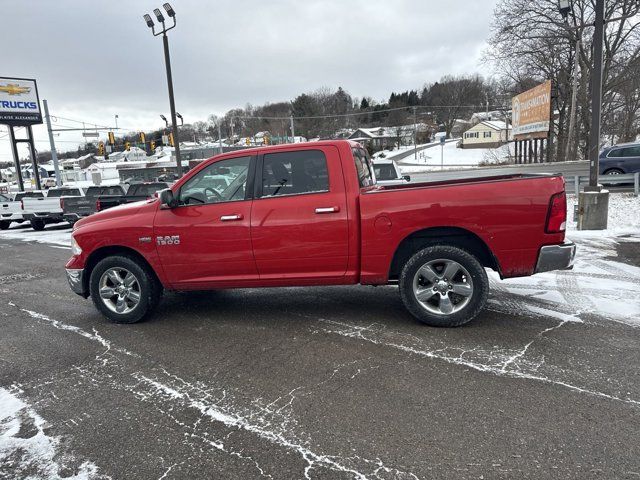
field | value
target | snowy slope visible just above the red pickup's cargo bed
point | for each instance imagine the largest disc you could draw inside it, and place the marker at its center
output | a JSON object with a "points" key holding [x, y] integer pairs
{"points": [[430, 159]]}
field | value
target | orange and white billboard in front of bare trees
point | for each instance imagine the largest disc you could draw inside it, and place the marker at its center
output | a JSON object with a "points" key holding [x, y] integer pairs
{"points": [[531, 113]]}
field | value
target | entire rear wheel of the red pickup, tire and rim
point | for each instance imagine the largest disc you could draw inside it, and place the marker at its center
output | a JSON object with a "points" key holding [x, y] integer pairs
{"points": [[444, 286]]}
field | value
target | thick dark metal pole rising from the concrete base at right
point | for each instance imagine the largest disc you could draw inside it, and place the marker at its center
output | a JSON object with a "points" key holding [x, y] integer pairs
{"points": [[596, 99]]}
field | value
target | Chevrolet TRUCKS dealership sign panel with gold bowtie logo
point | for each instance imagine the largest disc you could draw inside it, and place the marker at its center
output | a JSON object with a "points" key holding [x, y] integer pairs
{"points": [[19, 102]]}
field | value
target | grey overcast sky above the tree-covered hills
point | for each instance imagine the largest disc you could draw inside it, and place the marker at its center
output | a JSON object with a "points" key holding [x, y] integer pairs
{"points": [[94, 59]]}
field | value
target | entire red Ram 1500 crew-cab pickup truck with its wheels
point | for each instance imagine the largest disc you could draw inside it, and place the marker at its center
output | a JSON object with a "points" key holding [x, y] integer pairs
{"points": [[312, 214]]}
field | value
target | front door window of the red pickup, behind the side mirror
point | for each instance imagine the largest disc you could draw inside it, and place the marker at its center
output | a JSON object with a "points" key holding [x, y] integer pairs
{"points": [[223, 181]]}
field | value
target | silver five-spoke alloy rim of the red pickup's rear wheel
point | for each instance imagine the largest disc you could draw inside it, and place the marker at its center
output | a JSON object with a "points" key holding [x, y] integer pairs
{"points": [[442, 287]]}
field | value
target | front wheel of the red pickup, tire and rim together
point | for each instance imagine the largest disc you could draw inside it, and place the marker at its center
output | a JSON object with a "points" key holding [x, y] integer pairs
{"points": [[123, 290]]}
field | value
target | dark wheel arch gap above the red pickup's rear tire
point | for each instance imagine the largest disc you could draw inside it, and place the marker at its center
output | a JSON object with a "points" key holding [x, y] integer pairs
{"points": [[453, 236]]}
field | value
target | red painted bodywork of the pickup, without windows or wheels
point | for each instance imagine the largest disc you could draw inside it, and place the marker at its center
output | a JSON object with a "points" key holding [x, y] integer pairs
{"points": [[281, 241]]}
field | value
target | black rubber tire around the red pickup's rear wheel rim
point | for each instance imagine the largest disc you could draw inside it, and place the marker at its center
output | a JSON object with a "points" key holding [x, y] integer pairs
{"points": [[475, 302]]}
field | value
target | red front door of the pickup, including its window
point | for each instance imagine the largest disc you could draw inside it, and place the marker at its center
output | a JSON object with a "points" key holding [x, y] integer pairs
{"points": [[205, 240]]}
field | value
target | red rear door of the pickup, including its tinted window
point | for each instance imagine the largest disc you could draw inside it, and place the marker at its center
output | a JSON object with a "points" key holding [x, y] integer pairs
{"points": [[299, 222]]}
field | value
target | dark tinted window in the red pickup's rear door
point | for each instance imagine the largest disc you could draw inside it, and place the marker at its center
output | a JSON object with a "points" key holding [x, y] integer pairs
{"points": [[292, 173]]}
